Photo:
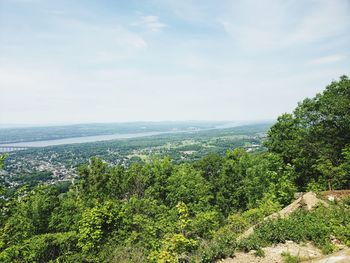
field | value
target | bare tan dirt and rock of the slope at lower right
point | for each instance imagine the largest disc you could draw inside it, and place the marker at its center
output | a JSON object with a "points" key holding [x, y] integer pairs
{"points": [[289, 250]]}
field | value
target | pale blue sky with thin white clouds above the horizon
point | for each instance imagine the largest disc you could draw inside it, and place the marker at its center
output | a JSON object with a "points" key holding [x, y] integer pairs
{"points": [[152, 60]]}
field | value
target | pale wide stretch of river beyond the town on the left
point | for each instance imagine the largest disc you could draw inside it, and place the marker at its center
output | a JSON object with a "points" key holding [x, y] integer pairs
{"points": [[84, 139]]}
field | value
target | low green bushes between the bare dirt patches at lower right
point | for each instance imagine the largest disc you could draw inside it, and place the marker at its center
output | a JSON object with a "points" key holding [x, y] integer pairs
{"points": [[317, 226]]}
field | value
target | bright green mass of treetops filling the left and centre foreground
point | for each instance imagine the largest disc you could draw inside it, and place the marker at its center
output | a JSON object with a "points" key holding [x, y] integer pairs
{"points": [[167, 212]]}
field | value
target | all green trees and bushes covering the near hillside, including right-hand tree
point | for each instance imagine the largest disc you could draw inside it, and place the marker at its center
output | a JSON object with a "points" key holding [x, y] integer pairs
{"points": [[193, 211]]}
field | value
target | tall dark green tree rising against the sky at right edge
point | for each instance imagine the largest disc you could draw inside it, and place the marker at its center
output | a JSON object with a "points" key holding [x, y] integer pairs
{"points": [[315, 138]]}
